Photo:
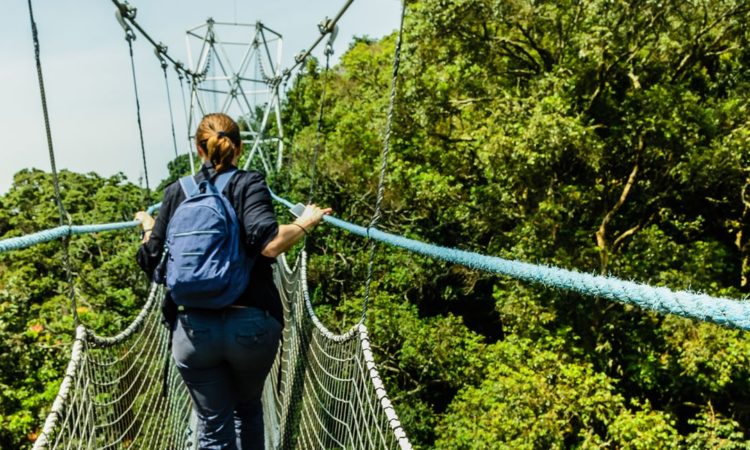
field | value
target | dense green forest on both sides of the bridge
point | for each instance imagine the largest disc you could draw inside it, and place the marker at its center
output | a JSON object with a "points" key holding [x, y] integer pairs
{"points": [[605, 136]]}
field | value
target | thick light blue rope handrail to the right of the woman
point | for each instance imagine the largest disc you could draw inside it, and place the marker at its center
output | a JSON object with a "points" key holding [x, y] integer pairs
{"points": [[723, 311]]}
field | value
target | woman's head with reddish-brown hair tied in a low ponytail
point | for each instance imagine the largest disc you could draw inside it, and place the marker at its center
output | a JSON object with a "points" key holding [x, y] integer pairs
{"points": [[218, 137]]}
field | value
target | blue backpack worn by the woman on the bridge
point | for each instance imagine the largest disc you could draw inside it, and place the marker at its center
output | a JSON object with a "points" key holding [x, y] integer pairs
{"points": [[207, 266]]}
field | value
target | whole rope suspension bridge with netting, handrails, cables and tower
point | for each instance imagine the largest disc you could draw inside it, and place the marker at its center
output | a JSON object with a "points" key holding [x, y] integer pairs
{"points": [[324, 390]]}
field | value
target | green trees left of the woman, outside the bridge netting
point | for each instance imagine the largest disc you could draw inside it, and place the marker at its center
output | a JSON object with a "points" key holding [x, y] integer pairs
{"points": [[36, 322]]}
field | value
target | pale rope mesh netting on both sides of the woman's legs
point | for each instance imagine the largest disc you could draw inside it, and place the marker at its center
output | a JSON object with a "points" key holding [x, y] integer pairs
{"points": [[323, 391]]}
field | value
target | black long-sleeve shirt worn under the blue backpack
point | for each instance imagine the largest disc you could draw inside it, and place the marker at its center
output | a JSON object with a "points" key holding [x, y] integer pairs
{"points": [[249, 195]]}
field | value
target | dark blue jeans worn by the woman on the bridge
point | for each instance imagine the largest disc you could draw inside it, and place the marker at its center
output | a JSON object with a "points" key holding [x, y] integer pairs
{"points": [[224, 357]]}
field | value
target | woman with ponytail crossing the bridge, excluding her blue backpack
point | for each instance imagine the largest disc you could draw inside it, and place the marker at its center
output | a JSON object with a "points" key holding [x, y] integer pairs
{"points": [[224, 355]]}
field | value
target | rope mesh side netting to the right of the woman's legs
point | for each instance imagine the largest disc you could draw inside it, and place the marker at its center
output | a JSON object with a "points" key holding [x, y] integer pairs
{"points": [[324, 390]]}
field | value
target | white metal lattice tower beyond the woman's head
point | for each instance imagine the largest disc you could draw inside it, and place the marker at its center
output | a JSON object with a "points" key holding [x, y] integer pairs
{"points": [[240, 76]]}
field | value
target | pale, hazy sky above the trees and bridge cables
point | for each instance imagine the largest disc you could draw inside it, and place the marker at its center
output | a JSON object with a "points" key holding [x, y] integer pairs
{"points": [[88, 80]]}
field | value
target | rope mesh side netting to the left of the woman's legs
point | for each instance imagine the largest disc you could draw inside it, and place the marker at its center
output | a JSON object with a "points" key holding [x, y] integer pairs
{"points": [[111, 396]]}
